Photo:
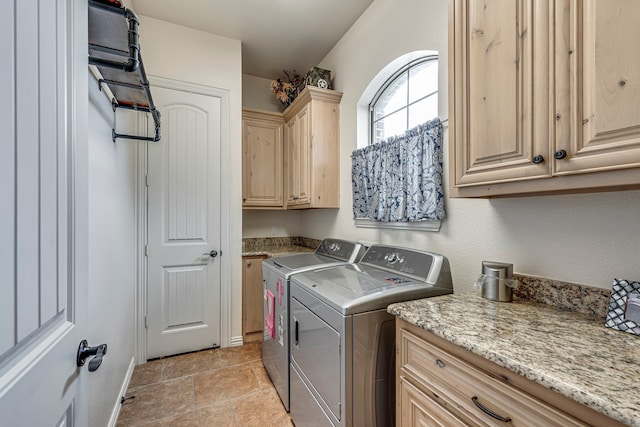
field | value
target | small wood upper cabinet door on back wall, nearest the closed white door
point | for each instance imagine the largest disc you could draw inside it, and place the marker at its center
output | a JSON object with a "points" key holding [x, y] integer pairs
{"points": [[262, 160]]}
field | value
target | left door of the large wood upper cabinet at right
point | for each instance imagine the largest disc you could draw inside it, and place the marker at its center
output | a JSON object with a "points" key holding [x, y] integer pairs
{"points": [[499, 103]]}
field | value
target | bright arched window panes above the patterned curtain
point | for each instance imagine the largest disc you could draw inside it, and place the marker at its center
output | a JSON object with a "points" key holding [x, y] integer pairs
{"points": [[408, 98]]}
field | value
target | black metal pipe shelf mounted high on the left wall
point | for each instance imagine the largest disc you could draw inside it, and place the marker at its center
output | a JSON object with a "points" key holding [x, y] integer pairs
{"points": [[114, 49]]}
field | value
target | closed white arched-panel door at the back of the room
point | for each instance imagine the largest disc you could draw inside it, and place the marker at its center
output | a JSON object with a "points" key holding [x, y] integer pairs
{"points": [[184, 225]]}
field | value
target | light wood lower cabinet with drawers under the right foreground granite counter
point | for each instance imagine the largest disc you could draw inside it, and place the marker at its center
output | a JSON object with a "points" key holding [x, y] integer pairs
{"points": [[439, 383]]}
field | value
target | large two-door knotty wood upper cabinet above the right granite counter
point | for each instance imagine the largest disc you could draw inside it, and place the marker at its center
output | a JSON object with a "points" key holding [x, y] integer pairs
{"points": [[528, 119]]}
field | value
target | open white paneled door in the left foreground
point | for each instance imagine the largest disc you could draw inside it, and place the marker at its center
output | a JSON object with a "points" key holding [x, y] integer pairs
{"points": [[43, 200]]}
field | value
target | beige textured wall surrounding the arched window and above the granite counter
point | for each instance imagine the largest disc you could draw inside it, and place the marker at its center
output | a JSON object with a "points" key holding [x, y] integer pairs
{"points": [[588, 239]]}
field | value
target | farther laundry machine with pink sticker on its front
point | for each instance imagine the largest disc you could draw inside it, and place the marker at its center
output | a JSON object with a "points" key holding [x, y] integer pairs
{"points": [[276, 274]]}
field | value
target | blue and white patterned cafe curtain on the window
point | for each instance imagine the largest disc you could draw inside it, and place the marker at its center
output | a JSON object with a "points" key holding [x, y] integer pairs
{"points": [[400, 179]]}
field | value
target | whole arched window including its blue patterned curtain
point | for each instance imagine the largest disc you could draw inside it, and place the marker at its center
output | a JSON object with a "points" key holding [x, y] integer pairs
{"points": [[400, 104]]}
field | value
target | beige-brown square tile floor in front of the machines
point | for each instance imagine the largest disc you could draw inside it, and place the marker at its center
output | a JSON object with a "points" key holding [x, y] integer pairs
{"points": [[224, 387]]}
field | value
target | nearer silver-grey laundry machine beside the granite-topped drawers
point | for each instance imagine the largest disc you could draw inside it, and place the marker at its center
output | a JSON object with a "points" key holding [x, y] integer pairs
{"points": [[343, 339]]}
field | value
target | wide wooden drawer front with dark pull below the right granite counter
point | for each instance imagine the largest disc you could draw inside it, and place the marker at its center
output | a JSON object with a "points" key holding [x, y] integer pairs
{"points": [[472, 394]]}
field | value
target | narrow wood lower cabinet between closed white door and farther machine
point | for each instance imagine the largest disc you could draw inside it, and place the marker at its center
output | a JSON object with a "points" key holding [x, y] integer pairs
{"points": [[252, 298]]}
